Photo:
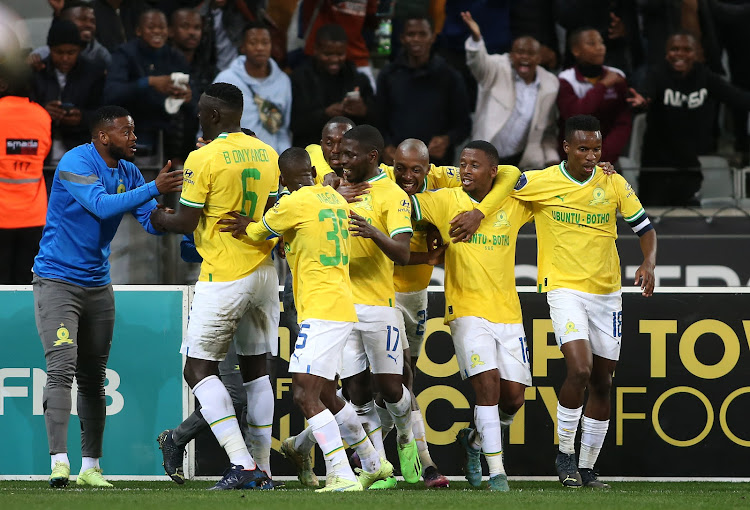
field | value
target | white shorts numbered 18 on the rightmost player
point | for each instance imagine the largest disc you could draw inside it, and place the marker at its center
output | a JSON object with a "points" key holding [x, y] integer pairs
{"points": [[597, 318]]}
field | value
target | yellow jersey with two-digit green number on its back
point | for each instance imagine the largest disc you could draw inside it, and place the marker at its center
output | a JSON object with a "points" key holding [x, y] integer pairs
{"points": [[314, 221]]}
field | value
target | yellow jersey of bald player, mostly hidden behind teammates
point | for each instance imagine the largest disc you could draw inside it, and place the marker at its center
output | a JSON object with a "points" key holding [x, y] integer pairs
{"points": [[416, 277]]}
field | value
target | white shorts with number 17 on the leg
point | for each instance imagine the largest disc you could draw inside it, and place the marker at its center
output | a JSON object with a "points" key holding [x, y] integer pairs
{"points": [[376, 340]]}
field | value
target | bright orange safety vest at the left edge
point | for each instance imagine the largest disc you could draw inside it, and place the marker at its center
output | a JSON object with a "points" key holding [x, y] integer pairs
{"points": [[25, 140]]}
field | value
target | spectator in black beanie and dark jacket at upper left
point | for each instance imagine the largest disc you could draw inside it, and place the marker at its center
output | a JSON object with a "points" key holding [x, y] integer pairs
{"points": [[69, 87]]}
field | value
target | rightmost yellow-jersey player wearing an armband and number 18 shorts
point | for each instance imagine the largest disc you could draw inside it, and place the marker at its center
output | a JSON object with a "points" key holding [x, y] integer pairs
{"points": [[575, 206]]}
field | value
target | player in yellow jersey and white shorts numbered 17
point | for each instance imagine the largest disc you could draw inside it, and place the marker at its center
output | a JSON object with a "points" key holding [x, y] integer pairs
{"points": [[381, 230]]}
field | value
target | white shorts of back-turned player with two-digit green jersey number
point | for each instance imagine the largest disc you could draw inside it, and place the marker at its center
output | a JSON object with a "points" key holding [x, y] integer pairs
{"points": [[319, 347]]}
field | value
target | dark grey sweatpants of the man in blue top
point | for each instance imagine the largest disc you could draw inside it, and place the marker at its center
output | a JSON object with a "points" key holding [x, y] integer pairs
{"points": [[75, 325]]}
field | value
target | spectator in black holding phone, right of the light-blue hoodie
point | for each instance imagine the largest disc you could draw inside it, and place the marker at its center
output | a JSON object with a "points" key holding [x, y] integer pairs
{"points": [[326, 86]]}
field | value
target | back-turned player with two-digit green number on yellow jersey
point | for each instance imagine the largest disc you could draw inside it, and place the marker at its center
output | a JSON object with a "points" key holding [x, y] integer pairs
{"points": [[314, 221]]}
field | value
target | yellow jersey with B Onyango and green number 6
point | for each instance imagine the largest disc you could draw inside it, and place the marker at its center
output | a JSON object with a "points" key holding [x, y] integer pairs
{"points": [[235, 172]]}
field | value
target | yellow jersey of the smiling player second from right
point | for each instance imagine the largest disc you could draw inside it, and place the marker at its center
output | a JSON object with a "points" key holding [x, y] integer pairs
{"points": [[479, 275]]}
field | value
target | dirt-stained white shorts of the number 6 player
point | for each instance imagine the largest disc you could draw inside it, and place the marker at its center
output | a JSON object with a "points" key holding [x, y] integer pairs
{"points": [[246, 310]]}
